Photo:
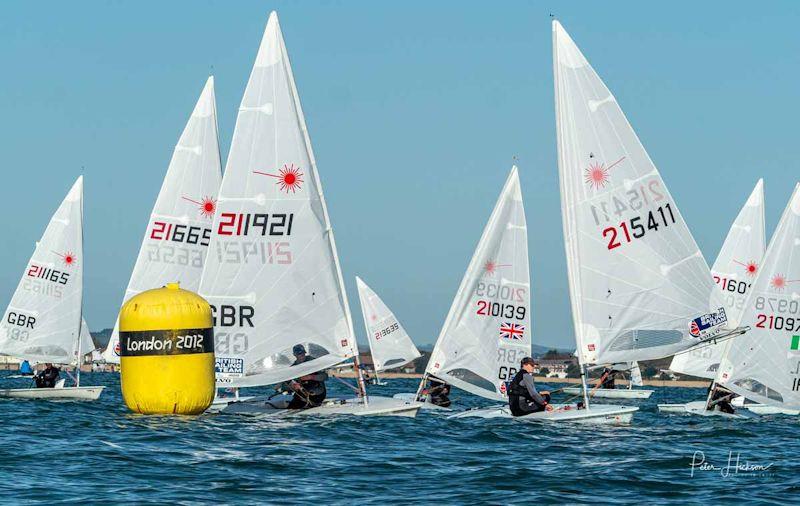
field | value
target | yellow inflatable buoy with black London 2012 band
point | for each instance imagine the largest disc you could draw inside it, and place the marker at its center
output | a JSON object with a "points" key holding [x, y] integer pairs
{"points": [[167, 352]]}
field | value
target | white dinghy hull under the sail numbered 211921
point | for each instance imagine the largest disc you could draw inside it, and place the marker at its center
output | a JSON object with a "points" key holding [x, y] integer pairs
{"points": [[375, 406]]}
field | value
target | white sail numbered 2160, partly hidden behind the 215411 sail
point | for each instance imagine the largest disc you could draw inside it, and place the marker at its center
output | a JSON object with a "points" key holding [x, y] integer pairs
{"points": [[734, 270]]}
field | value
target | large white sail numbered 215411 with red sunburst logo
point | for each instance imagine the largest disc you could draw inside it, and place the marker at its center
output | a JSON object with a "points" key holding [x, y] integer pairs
{"points": [[639, 286]]}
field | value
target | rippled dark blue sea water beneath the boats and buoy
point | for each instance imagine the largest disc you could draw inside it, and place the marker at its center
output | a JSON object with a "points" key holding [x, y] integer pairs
{"points": [[98, 452]]}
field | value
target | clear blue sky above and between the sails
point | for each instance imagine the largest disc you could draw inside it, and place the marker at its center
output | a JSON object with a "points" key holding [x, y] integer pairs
{"points": [[415, 110]]}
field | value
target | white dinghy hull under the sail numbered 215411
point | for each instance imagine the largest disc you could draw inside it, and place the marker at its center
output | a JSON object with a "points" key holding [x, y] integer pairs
{"points": [[597, 414]]}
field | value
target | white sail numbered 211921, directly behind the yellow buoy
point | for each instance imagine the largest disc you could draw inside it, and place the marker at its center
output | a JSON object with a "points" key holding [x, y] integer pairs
{"points": [[272, 272]]}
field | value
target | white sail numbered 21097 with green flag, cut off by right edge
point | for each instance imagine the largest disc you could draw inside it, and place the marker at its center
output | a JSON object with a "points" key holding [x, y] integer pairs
{"points": [[763, 365]]}
